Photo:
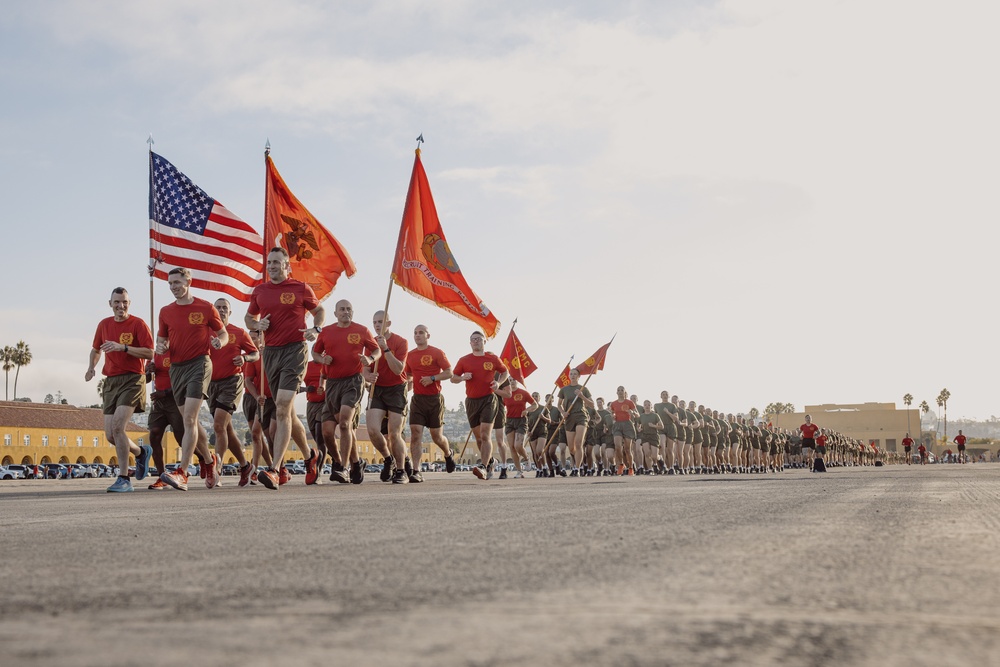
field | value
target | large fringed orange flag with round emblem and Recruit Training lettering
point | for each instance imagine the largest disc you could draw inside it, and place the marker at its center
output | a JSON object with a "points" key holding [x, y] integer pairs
{"points": [[424, 265]]}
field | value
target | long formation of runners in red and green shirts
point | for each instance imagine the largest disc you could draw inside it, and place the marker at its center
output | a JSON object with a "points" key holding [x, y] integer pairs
{"points": [[199, 355]]}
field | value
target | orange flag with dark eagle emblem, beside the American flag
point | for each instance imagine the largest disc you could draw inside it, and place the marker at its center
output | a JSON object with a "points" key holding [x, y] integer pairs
{"points": [[316, 257]]}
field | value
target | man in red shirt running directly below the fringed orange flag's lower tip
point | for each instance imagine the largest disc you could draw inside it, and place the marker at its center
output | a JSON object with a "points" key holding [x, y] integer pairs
{"points": [[479, 373]]}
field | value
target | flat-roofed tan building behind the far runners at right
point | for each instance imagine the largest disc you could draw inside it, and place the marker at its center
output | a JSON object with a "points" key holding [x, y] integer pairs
{"points": [[880, 423]]}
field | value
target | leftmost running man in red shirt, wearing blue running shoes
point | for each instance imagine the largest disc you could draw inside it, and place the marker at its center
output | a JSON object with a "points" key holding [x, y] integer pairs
{"points": [[127, 343]]}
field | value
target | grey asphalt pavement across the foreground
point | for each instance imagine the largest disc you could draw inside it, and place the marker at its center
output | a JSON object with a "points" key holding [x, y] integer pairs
{"points": [[861, 566]]}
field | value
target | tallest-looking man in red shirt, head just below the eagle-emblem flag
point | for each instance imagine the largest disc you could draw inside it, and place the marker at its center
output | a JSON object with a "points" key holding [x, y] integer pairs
{"points": [[278, 308]]}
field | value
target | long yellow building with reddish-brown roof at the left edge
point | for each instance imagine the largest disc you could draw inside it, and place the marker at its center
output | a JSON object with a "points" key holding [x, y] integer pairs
{"points": [[36, 433]]}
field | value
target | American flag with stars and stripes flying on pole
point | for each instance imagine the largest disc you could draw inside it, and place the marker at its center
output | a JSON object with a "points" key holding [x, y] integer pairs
{"points": [[190, 229]]}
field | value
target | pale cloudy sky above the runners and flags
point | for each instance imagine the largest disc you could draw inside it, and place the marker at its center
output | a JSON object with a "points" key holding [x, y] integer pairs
{"points": [[763, 201]]}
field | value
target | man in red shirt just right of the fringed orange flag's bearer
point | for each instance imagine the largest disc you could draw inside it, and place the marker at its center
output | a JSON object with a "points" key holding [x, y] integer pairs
{"points": [[426, 367]]}
